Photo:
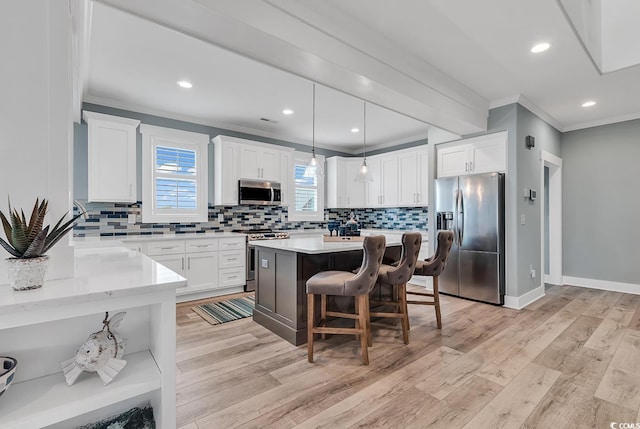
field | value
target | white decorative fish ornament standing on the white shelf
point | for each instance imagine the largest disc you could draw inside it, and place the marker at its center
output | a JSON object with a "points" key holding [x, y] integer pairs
{"points": [[101, 353]]}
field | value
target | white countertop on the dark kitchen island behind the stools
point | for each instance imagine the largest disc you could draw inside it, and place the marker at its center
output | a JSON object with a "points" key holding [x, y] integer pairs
{"points": [[315, 244]]}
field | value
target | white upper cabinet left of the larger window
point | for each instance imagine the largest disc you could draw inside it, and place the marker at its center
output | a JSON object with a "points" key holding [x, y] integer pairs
{"points": [[112, 158]]}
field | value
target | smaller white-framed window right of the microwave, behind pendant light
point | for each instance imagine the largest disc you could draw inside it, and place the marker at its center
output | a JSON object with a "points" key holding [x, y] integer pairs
{"points": [[308, 195]]}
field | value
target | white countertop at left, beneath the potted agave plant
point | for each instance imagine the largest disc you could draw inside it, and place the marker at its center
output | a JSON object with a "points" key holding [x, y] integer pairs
{"points": [[99, 272]]}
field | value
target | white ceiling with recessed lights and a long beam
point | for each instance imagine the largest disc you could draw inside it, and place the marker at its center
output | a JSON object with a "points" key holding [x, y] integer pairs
{"points": [[426, 58]]}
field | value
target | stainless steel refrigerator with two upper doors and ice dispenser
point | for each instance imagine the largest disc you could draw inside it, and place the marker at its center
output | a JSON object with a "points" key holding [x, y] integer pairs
{"points": [[473, 208]]}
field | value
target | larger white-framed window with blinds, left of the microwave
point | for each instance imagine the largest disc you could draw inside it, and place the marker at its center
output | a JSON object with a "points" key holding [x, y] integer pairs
{"points": [[174, 175]]}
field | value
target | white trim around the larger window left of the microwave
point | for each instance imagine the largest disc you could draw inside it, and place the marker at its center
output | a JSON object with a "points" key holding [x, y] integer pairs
{"points": [[153, 136]]}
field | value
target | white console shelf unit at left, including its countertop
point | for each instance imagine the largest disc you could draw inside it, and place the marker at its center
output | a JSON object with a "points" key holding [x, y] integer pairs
{"points": [[43, 327]]}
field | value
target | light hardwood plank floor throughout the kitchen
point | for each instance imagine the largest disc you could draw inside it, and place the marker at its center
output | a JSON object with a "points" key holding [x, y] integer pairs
{"points": [[569, 360]]}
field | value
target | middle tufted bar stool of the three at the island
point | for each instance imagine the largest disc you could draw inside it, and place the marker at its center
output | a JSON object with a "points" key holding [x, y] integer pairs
{"points": [[397, 276]]}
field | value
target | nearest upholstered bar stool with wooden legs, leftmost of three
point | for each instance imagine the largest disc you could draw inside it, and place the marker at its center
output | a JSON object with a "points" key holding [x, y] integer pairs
{"points": [[343, 283]]}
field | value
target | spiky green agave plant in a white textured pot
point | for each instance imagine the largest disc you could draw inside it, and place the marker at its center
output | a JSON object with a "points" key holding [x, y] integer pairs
{"points": [[28, 242]]}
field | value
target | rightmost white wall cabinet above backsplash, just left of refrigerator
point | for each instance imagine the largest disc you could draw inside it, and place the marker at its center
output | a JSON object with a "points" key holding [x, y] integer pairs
{"points": [[413, 178]]}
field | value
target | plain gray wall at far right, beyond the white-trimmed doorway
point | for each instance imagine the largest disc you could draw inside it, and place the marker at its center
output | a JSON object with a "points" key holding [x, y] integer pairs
{"points": [[601, 207]]}
